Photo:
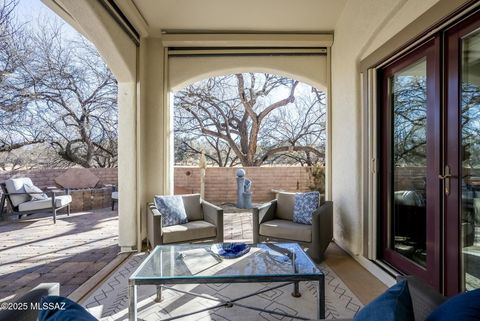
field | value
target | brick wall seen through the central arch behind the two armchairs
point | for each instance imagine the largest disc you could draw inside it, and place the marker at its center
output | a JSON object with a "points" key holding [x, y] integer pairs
{"points": [[221, 184]]}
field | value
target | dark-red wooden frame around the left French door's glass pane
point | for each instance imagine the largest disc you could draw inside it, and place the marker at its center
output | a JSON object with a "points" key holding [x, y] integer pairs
{"points": [[431, 273]]}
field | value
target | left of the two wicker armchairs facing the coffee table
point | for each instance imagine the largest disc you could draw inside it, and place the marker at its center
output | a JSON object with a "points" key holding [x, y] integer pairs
{"points": [[205, 222]]}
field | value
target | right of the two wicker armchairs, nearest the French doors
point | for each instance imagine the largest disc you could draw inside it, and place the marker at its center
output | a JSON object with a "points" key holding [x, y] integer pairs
{"points": [[273, 221]]}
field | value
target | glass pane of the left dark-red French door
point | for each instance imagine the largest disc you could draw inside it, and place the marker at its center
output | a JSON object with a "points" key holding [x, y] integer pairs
{"points": [[409, 113]]}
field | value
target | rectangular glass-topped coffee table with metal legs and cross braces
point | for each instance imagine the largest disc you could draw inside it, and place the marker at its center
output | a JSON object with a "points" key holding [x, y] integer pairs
{"points": [[284, 263]]}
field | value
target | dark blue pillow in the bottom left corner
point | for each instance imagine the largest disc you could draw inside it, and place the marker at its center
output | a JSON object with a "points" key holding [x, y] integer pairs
{"points": [[57, 308]]}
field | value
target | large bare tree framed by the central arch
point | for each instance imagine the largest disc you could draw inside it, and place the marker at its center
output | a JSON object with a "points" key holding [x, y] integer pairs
{"points": [[248, 119]]}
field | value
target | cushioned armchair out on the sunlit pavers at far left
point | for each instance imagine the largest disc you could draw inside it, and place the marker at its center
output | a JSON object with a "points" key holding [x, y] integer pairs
{"points": [[20, 202]]}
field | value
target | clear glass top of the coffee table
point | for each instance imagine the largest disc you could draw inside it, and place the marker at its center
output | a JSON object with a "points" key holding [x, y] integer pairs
{"points": [[200, 261]]}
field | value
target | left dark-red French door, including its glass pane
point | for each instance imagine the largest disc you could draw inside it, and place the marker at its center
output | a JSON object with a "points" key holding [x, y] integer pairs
{"points": [[410, 164]]}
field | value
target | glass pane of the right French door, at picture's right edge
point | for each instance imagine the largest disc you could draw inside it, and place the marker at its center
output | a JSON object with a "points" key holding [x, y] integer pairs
{"points": [[470, 156]]}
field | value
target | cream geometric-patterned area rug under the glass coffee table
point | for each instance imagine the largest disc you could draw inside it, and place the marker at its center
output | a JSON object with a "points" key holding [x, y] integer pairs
{"points": [[109, 302]]}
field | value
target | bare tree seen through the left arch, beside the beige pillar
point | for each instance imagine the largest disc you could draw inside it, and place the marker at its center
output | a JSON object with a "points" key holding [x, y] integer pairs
{"points": [[70, 106]]}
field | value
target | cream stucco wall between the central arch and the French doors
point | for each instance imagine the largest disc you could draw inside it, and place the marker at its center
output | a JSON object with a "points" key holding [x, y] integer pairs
{"points": [[363, 27]]}
